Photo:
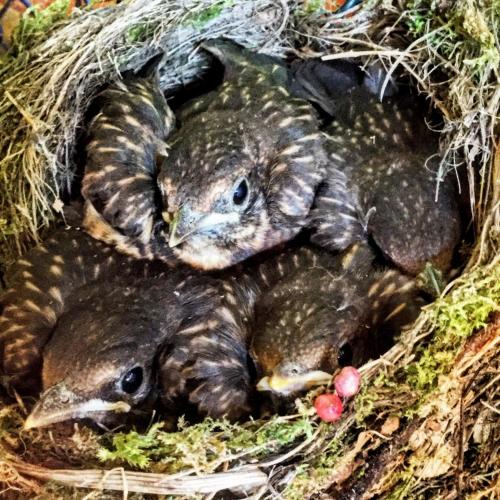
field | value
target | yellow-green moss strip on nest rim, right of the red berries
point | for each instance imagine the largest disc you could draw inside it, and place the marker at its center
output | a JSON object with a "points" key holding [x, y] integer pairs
{"points": [[452, 318]]}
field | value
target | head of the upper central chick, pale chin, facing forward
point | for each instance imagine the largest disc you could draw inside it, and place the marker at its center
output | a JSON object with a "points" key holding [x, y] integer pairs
{"points": [[217, 216]]}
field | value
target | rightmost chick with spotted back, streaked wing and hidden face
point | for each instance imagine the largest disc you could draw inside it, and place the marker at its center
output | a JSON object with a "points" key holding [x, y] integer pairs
{"points": [[382, 181]]}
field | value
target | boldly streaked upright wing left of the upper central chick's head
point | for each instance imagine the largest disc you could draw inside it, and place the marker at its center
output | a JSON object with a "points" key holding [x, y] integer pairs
{"points": [[125, 140]]}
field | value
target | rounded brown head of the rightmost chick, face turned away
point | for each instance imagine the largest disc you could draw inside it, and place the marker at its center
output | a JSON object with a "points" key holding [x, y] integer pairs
{"points": [[412, 218]]}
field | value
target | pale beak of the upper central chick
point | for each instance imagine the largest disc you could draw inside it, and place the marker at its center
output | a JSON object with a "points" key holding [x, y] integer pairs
{"points": [[187, 222]]}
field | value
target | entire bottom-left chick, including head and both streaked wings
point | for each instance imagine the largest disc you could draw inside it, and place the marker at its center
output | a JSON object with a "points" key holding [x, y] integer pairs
{"points": [[96, 321]]}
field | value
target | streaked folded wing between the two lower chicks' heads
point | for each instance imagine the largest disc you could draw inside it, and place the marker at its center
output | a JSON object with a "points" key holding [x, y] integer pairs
{"points": [[206, 363]]}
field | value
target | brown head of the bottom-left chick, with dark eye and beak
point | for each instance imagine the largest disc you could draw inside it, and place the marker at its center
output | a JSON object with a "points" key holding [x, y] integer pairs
{"points": [[98, 362]]}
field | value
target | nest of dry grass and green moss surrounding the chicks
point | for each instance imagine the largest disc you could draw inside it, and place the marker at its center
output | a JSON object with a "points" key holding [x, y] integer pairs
{"points": [[425, 423]]}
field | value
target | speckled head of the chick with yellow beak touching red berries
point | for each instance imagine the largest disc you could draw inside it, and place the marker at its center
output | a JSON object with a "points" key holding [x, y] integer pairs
{"points": [[307, 327]]}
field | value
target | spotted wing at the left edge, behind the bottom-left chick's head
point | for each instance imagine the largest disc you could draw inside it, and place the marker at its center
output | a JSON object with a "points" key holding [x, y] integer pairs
{"points": [[38, 288]]}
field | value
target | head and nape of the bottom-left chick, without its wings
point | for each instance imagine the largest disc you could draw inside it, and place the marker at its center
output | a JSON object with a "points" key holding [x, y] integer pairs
{"points": [[100, 358]]}
